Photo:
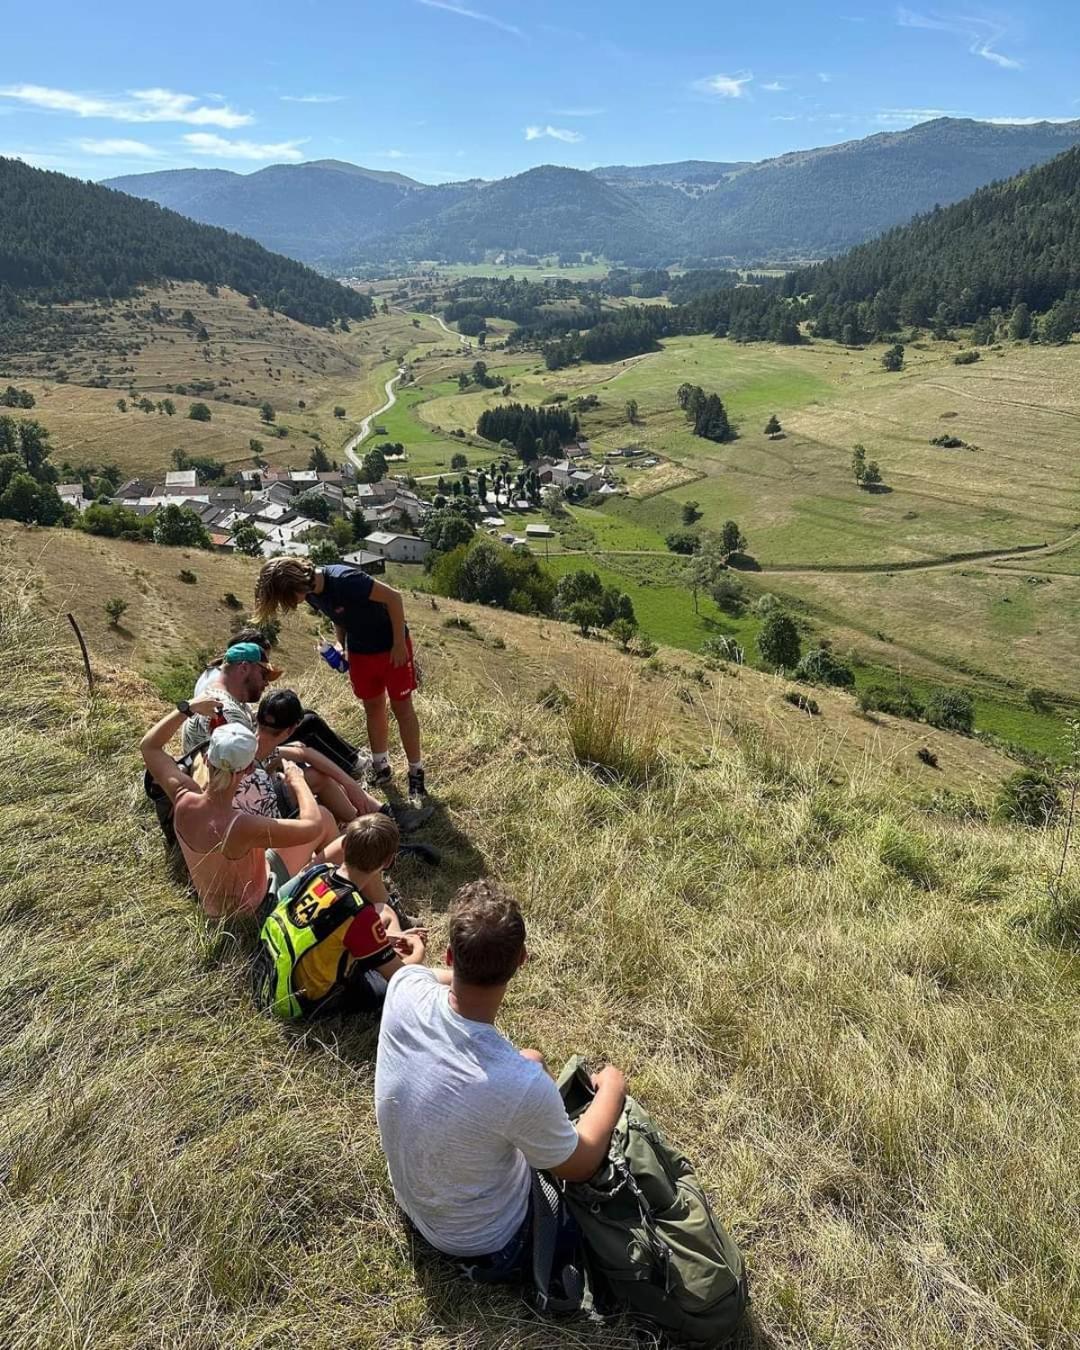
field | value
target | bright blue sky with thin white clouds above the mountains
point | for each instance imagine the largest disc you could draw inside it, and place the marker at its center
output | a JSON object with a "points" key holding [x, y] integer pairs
{"points": [[445, 90]]}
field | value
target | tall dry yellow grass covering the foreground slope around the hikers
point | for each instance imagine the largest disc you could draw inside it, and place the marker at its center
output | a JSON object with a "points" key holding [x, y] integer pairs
{"points": [[855, 1013]]}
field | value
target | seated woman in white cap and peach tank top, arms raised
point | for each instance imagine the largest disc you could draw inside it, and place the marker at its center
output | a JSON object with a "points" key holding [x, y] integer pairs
{"points": [[226, 850]]}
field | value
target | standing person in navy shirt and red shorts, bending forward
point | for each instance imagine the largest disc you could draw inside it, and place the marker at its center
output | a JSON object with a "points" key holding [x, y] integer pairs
{"points": [[369, 623]]}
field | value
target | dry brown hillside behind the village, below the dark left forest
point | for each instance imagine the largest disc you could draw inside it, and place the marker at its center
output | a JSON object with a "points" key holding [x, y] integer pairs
{"points": [[249, 357]]}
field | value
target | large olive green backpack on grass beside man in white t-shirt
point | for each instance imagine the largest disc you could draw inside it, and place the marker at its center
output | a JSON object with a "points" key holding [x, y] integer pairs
{"points": [[653, 1244]]}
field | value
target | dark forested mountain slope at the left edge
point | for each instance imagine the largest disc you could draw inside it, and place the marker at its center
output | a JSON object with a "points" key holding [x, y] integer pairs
{"points": [[67, 240]]}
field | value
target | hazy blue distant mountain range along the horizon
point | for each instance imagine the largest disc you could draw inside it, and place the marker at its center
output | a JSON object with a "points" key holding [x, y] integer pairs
{"points": [[801, 206]]}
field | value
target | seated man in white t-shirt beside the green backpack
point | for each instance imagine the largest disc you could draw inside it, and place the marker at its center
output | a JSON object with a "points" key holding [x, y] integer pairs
{"points": [[462, 1114]]}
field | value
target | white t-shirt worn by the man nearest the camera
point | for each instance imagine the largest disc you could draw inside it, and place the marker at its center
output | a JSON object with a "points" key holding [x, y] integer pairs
{"points": [[462, 1117]]}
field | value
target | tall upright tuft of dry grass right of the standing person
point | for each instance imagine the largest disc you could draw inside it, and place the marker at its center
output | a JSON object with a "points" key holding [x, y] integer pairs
{"points": [[610, 728]]}
